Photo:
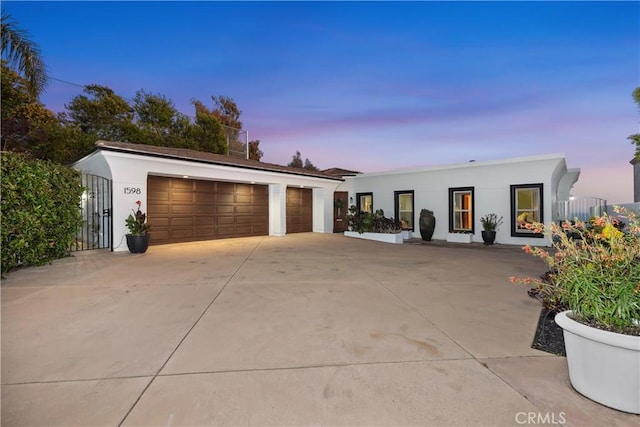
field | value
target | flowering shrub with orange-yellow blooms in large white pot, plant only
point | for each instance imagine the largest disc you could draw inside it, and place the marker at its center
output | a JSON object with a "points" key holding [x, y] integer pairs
{"points": [[594, 271]]}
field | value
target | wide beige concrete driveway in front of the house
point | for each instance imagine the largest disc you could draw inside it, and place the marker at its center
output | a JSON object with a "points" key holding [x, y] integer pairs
{"points": [[301, 330]]}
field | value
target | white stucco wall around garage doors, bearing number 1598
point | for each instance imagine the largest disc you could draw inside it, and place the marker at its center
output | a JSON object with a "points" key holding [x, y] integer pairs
{"points": [[129, 183]]}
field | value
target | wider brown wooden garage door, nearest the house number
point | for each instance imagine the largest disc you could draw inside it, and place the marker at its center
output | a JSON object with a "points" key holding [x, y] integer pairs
{"points": [[185, 210]]}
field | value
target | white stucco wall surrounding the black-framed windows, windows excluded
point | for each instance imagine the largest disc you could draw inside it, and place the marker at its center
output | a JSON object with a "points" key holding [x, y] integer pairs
{"points": [[492, 194]]}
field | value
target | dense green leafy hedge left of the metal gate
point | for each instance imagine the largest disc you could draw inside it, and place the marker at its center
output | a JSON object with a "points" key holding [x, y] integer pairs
{"points": [[39, 210]]}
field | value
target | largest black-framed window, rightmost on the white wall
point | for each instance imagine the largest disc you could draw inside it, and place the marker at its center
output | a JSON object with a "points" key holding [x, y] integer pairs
{"points": [[526, 208]]}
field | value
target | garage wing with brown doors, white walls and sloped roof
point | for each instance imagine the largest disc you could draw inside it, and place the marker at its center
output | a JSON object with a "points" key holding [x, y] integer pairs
{"points": [[190, 195]]}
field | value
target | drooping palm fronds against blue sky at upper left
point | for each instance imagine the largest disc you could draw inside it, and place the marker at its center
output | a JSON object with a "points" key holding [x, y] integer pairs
{"points": [[23, 55]]}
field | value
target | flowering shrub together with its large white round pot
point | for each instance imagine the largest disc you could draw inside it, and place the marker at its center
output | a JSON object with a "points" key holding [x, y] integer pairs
{"points": [[595, 272]]}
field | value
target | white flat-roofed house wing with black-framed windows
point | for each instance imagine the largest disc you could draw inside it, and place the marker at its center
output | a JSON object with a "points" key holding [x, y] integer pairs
{"points": [[520, 190]]}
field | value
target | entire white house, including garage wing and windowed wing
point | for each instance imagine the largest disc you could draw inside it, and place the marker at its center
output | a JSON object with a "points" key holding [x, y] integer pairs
{"points": [[190, 195]]}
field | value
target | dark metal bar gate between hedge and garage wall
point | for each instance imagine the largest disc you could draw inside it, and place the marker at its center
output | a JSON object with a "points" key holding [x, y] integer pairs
{"points": [[95, 208]]}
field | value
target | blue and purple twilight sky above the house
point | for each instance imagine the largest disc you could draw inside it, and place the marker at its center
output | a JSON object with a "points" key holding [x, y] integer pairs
{"points": [[373, 86]]}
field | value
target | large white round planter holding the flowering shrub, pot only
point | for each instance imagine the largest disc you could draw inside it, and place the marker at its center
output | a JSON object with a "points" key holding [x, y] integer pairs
{"points": [[603, 366]]}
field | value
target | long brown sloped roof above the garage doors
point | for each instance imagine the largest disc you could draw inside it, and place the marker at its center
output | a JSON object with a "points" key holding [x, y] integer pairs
{"points": [[204, 157]]}
